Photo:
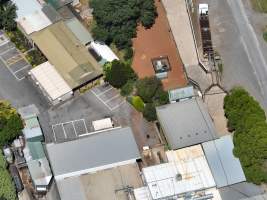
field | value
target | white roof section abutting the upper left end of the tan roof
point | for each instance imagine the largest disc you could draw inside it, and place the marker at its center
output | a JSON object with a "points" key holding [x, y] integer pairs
{"points": [[35, 21]]}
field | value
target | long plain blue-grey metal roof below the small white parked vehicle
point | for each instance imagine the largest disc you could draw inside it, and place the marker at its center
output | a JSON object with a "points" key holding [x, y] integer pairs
{"points": [[92, 151]]}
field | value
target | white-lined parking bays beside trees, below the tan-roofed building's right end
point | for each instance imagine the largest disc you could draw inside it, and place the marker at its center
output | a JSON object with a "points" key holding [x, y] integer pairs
{"points": [[109, 96]]}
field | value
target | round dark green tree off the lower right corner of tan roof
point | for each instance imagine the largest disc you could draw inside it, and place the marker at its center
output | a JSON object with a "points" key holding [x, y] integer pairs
{"points": [[117, 73]]}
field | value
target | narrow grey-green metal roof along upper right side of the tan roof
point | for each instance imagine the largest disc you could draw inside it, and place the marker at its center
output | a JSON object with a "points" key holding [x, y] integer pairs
{"points": [[79, 30]]}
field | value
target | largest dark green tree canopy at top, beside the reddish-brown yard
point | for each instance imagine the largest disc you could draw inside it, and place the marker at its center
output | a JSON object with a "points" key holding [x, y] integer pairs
{"points": [[117, 21]]}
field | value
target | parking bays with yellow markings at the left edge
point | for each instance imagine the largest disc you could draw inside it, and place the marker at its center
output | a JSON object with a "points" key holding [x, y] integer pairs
{"points": [[13, 59]]}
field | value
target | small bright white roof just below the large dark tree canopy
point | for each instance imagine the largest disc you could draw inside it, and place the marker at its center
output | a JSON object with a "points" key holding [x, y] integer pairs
{"points": [[104, 51]]}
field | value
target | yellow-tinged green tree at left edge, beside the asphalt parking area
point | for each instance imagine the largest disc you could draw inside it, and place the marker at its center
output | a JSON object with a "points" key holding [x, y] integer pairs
{"points": [[10, 123]]}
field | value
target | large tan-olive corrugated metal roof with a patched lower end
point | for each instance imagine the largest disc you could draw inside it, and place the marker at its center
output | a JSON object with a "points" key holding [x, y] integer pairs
{"points": [[64, 51]]}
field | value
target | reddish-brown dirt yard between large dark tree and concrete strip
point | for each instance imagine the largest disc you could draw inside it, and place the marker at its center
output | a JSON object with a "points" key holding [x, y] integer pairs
{"points": [[155, 42]]}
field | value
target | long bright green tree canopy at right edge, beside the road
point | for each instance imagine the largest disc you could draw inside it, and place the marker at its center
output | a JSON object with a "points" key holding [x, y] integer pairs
{"points": [[247, 119]]}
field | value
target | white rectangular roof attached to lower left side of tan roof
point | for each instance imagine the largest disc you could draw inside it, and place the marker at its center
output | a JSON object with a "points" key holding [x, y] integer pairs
{"points": [[50, 80]]}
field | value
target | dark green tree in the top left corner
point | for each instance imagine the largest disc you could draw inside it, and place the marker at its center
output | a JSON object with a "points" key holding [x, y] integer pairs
{"points": [[7, 15]]}
